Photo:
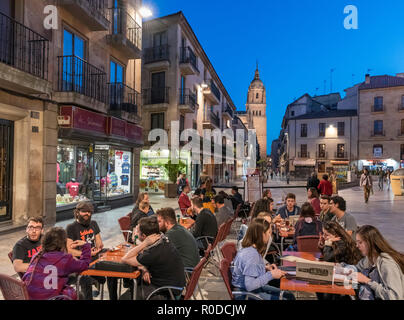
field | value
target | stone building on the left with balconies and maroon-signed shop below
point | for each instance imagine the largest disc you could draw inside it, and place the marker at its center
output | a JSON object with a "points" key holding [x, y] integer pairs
{"points": [[59, 92]]}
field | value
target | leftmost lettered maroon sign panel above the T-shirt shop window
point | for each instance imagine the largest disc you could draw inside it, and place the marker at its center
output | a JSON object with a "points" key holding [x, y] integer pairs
{"points": [[84, 119]]}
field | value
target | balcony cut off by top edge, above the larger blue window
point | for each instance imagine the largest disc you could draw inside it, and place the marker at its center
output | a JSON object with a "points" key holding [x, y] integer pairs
{"points": [[93, 13]]}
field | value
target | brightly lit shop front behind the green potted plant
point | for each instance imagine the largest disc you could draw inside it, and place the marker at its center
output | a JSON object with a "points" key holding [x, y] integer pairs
{"points": [[153, 170]]}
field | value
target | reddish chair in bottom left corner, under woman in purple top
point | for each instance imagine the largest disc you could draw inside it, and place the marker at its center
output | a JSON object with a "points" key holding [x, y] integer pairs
{"points": [[14, 289]]}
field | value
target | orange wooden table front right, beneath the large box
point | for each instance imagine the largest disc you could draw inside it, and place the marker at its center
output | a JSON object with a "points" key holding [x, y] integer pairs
{"points": [[305, 286]]}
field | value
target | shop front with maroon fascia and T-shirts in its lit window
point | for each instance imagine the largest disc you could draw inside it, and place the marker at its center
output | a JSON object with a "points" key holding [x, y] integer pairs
{"points": [[95, 160]]}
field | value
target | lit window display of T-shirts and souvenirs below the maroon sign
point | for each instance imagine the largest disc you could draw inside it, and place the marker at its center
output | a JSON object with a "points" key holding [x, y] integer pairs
{"points": [[88, 172]]}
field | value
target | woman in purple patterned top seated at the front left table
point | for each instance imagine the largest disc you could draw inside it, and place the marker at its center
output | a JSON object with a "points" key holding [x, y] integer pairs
{"points": [[48, 273]]}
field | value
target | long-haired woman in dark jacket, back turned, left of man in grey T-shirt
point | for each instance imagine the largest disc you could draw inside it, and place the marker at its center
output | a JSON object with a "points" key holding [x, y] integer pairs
{"points": [[307, 225]]}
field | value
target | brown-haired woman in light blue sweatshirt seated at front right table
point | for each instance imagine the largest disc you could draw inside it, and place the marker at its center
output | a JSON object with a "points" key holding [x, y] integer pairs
{"points": [[250, 272]]}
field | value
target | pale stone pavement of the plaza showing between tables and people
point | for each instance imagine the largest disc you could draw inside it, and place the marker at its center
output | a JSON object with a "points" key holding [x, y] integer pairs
{"points": [[383, 211]]}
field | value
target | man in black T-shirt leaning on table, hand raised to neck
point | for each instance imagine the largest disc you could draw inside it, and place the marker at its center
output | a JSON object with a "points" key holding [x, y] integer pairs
{"points": [[158, 259]]}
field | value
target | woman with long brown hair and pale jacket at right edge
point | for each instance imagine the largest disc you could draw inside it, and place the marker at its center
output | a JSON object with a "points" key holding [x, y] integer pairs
{"points": [[381, 271]]}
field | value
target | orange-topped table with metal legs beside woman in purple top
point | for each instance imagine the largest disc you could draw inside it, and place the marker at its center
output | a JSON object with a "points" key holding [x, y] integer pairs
{"points": [[113, 256]]}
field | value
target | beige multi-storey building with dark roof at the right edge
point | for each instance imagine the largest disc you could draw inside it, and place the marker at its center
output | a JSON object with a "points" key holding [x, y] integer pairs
{"points": [[381, 122]]}
